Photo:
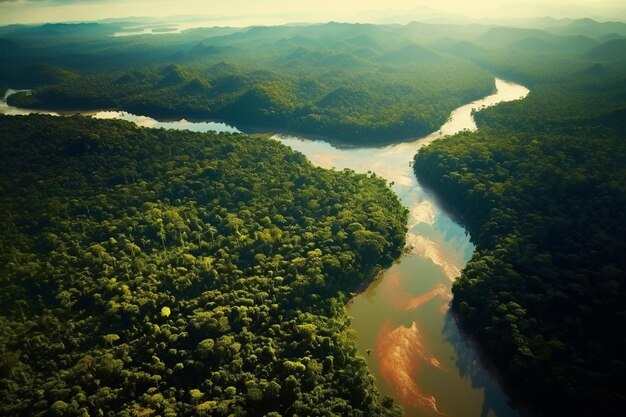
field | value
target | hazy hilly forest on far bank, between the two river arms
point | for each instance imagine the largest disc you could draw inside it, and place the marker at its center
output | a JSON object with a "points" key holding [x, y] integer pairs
{"points": [[357, 83]]}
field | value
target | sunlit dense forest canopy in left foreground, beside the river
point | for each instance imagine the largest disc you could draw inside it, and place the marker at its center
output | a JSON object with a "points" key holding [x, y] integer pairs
{"points": [[157, 272]]}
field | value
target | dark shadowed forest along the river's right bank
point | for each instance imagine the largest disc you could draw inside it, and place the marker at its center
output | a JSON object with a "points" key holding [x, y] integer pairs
{"points": [[541, 188]]}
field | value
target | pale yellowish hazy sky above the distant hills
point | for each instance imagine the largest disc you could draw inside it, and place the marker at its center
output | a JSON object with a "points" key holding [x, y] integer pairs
{"points": [[248, 12]]}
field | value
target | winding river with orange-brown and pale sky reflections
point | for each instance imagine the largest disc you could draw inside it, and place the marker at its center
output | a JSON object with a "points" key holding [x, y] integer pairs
{"points": [[401, 321]]}
